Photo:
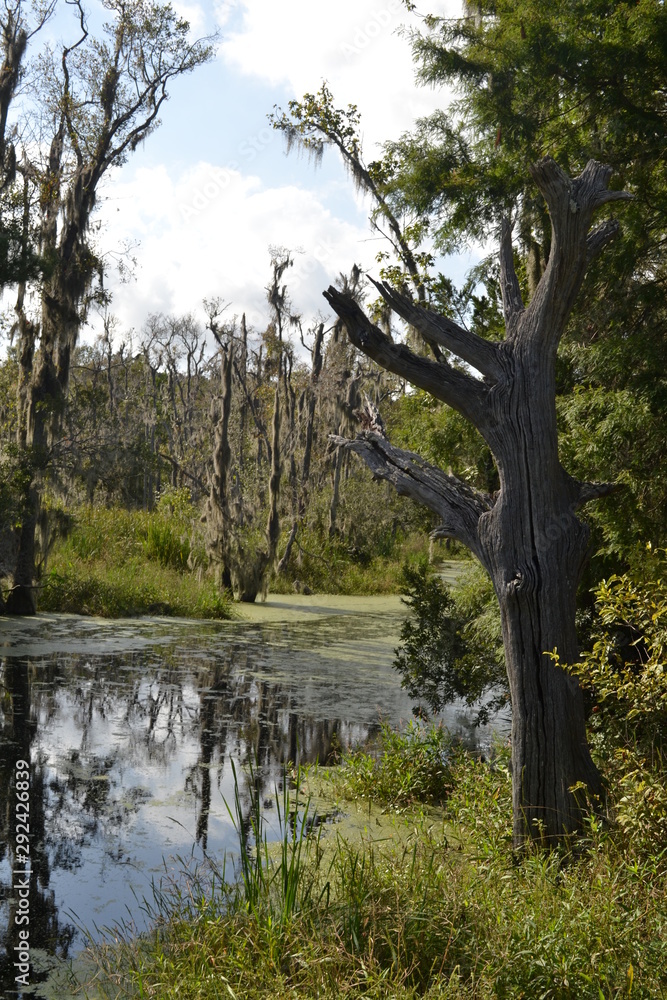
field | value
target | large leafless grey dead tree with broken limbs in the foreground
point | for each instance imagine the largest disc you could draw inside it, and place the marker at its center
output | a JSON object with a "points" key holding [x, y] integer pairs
{"points": [[527, 535]]}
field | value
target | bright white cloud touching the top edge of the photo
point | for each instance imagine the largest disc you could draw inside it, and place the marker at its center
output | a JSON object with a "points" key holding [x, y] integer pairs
{"points": [[354, 45]]}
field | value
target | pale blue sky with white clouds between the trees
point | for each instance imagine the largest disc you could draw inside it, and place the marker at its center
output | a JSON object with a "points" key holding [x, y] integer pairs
{"points": [[210, 192]]}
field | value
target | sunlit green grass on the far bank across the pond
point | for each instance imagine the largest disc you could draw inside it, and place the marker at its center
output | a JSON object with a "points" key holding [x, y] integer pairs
{"points": [[113, 562]]}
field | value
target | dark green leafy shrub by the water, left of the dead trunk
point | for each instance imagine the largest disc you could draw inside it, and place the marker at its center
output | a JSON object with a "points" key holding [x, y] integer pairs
{"points": [[451, 645]]}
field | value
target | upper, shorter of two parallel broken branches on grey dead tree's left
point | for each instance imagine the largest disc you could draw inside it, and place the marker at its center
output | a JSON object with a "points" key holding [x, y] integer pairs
{"points": [[444, 332]]}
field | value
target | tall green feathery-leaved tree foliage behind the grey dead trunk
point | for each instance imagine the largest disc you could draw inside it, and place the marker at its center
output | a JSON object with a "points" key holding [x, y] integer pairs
{"points": [[574, 80]]}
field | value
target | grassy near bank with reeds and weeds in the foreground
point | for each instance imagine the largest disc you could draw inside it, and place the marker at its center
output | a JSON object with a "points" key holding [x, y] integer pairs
{"points": [[426, 899]]}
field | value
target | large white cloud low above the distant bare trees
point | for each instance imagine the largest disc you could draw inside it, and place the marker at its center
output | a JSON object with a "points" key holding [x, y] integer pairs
{"points": [[206, 233]]}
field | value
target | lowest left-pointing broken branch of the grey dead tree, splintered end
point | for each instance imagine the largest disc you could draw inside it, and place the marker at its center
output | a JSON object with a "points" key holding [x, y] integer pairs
{"points": [[458, 505]]}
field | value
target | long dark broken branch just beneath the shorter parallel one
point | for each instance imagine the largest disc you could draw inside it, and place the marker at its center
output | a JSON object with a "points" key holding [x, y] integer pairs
{"points": [[464, 393]]}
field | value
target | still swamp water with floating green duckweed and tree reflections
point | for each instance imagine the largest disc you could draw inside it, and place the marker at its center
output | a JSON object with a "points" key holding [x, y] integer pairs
{"points": [[128, 728]]}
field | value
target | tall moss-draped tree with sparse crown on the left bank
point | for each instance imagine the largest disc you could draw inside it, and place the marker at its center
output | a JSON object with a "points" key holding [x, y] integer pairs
{"points": [[99, 103]]}
